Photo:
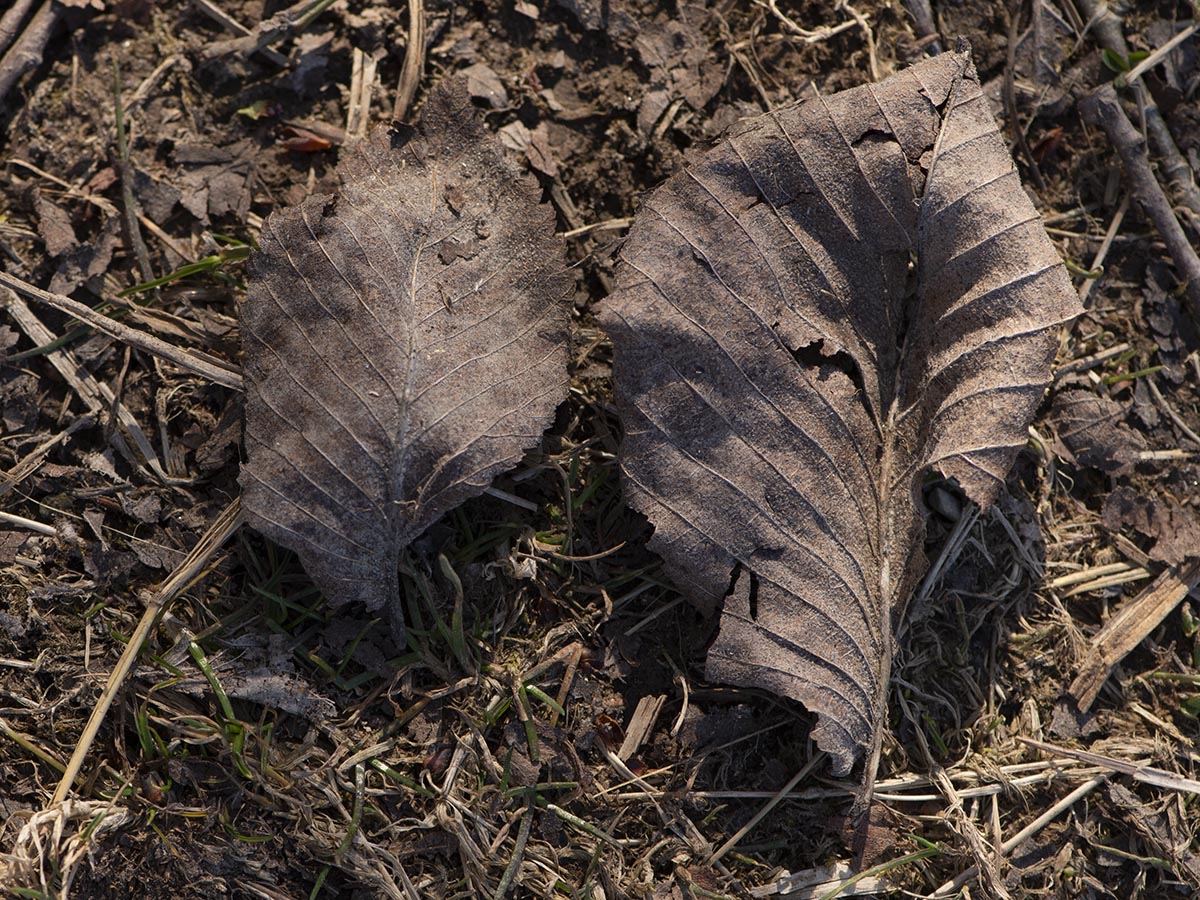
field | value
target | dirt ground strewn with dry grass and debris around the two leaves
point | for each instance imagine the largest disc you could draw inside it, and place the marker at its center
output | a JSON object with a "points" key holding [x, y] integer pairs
{"points": [[560, 740]]}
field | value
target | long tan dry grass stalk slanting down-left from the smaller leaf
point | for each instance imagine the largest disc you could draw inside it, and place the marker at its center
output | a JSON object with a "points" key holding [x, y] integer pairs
{"points": [[184, 575]]}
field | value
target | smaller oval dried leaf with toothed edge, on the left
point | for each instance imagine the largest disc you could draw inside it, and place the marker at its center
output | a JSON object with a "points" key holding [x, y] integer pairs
{"points": [[406, 341]]}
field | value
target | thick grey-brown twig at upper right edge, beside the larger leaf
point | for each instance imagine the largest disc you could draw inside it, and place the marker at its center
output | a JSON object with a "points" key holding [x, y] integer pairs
{"points": [[1103, 109]]}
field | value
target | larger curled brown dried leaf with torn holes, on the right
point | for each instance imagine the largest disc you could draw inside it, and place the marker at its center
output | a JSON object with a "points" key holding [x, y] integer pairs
{"points": [[843, 296]]}
